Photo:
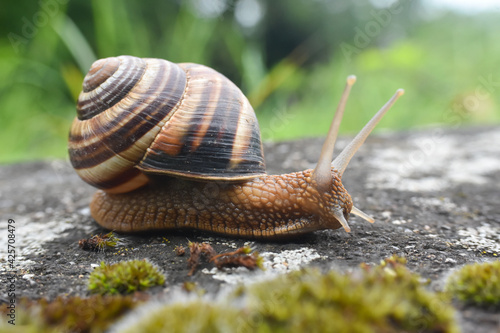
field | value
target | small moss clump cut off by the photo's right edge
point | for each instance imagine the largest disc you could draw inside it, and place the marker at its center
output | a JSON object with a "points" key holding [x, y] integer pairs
{"points": [[477, 284]]}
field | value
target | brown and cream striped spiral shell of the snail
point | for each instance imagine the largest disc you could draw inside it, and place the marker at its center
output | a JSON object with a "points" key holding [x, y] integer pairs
{"points": [[139, 117]]}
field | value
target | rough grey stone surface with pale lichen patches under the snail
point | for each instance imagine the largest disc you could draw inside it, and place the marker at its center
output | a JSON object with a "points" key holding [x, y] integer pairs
{"points": [[434, 194]]}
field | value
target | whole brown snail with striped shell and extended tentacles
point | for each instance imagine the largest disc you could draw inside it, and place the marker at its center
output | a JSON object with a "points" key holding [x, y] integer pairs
{"points": [[174, 146]]}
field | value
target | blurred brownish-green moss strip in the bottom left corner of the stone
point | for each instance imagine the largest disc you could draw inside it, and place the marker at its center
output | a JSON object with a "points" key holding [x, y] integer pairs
{"points": [[73, 314]]}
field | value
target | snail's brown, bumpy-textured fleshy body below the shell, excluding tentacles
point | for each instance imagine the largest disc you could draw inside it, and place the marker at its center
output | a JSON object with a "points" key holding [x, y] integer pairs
{"points": [[274, 206]]}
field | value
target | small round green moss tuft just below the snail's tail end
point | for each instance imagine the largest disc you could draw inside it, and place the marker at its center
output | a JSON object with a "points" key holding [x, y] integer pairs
{"points": [[125, 277]]}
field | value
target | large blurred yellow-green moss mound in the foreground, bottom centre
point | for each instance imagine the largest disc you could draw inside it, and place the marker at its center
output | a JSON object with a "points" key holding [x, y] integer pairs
{"points": [[386, 298]]}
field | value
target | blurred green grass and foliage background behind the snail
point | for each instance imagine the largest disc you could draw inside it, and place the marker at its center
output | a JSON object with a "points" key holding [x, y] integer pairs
{"points": [[290, 57]]}
